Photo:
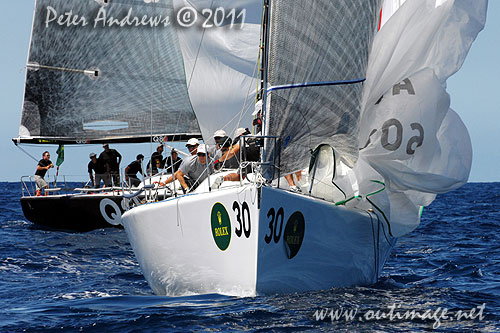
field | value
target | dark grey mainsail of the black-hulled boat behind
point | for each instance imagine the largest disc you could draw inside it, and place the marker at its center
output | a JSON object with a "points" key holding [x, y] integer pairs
{"points": [[91, 79]]}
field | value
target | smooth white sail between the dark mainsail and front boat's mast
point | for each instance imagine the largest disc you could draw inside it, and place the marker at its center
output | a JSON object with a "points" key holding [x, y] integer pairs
{"points": [[220, 65]]}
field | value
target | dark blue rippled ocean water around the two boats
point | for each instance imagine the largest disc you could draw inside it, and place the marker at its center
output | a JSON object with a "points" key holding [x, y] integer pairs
{"points": [[447, 272]]}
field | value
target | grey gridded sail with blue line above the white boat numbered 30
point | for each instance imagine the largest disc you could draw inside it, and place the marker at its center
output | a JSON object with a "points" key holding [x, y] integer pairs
{"points": [[318, 53]]}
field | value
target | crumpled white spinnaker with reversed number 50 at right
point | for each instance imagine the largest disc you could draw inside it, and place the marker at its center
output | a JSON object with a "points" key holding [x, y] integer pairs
{"points": [[409, 137]]}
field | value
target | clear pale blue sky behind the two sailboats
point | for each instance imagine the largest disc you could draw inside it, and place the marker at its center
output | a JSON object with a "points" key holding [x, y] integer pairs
{"points": [[473, 93]]}
